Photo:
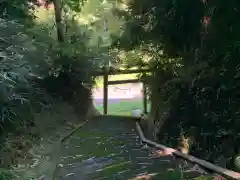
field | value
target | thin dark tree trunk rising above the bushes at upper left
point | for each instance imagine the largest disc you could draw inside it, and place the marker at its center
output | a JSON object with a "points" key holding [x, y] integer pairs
{"points": [[58, 19]]}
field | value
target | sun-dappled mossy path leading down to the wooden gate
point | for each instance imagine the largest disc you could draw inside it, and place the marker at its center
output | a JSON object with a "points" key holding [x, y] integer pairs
{"points": [[109, 147]]}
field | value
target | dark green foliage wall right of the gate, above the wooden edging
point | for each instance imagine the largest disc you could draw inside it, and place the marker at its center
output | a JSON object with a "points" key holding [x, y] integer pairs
{"points": [[195, 55]]}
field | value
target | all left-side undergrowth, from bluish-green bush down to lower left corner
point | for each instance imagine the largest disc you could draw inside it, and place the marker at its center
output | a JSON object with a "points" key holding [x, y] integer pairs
{"points": [[35, 73]]}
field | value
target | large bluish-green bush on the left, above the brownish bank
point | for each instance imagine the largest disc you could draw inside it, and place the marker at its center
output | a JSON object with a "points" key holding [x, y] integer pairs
{"points": [[34, 67]]}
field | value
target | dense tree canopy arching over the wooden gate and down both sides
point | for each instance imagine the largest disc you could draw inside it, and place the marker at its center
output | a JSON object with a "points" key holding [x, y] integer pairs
{"points": [[193, 46]]}
